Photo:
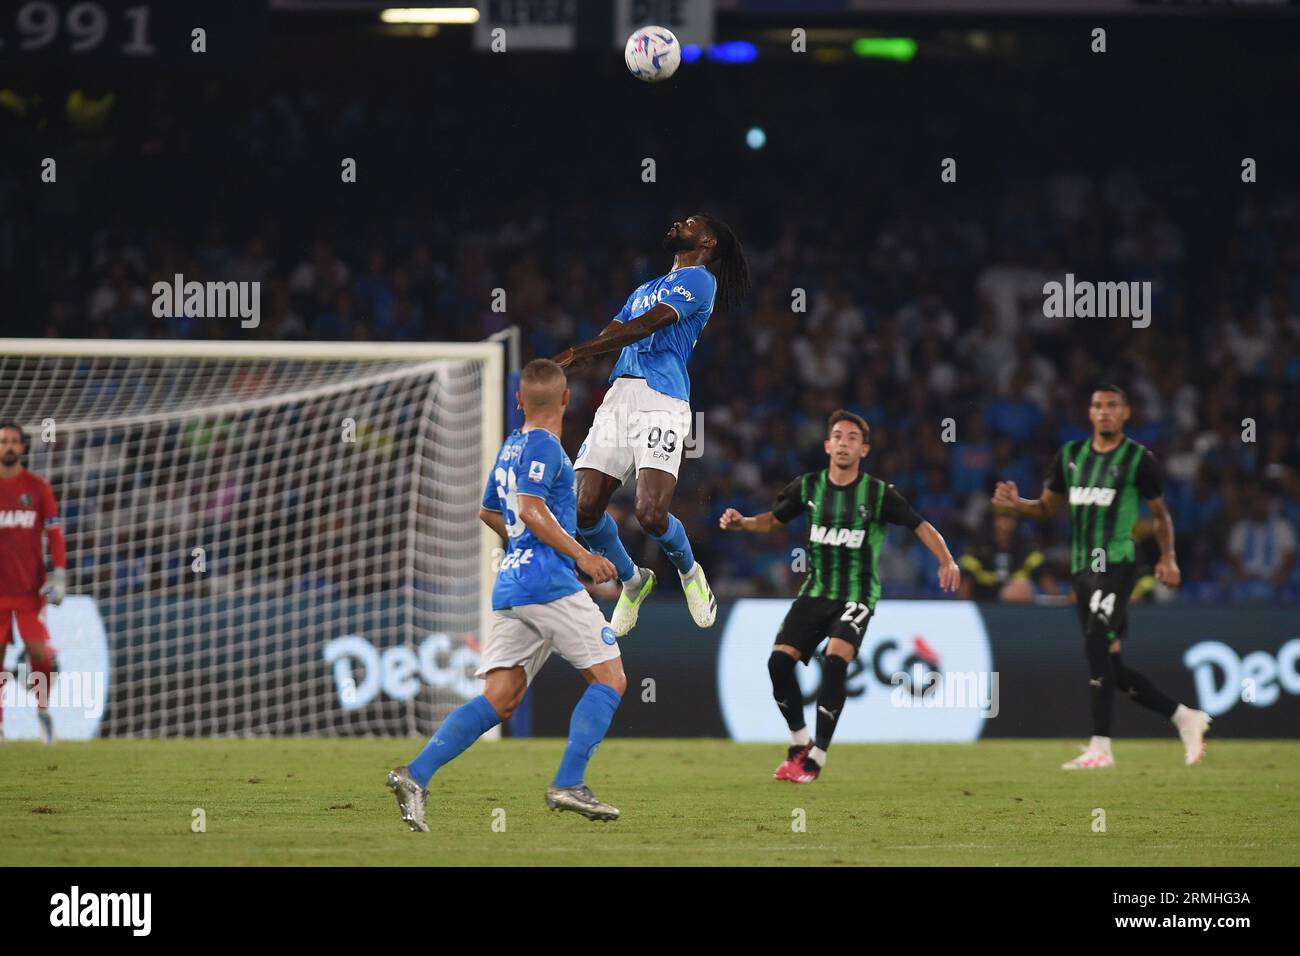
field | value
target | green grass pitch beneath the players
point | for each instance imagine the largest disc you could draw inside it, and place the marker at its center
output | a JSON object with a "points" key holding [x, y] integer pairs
{"points": [[315, 802]]}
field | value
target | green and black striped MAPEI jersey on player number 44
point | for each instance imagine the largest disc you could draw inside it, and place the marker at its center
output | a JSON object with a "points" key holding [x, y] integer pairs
{"points": [[1103, 491]]}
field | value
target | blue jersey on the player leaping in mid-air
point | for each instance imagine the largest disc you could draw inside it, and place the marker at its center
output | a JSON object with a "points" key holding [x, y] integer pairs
{"points": [[661, 360]]}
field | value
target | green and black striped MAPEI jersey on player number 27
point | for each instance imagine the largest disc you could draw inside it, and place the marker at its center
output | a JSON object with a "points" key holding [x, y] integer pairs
{"points": [[847, 529]]}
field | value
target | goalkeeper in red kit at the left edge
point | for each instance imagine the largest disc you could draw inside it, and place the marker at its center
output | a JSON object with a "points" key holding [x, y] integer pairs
{"points": [[28, 514]]}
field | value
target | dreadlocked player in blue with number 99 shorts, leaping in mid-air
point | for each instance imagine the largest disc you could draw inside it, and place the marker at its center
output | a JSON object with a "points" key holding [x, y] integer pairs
{"points": [[643, 425]]}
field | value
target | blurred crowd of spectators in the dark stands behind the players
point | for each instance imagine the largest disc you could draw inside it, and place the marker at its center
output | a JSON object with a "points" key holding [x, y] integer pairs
{"points": [[920, 310]]}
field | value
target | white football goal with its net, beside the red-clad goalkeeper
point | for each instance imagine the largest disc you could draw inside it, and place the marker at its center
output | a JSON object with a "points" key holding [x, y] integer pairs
{"points": [[267, 538]]}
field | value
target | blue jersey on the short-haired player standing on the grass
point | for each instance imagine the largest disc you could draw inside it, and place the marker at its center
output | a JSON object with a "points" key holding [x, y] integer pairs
{"points": [[532, 462]]}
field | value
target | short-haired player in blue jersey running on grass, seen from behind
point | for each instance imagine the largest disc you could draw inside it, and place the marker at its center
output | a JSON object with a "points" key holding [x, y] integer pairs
{"points": [[539, 605]]}
